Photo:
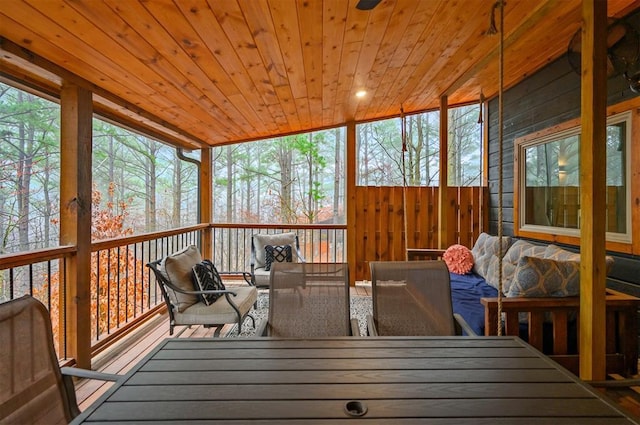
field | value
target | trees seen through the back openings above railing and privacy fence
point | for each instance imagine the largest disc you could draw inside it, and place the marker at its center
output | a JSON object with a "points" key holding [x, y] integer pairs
{"points": [[300, 178]]}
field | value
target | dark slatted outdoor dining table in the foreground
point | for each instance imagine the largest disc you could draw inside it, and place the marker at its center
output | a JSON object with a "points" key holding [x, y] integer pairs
{"points": [[397, 380]]}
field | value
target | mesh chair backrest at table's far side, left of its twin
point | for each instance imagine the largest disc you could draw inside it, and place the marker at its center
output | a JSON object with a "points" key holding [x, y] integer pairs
{"points": [[309, 300]]}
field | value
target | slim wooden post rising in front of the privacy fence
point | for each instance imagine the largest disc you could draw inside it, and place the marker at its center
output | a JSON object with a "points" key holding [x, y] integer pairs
{"points": [[443, 233]]}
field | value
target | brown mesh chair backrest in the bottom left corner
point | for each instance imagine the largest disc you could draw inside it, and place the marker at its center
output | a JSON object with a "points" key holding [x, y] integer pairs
{"points": [[32, 389]]}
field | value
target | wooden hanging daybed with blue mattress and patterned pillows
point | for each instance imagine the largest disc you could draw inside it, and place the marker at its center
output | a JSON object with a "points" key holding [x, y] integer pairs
{"points": [[540, 301]]}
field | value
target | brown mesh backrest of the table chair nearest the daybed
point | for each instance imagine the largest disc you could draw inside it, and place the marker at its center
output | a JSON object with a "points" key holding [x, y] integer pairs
{"points": [[412, 298]]}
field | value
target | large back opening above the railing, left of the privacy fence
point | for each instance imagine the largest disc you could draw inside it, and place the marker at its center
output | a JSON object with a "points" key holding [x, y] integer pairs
{"points": [[290, 179]]}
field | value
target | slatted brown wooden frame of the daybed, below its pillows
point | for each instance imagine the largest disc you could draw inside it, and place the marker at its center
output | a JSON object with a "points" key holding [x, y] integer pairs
{"points": [[621, 325]]}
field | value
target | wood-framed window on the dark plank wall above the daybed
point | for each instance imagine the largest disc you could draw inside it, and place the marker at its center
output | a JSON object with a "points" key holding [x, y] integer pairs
{"points": [[549, 197]]}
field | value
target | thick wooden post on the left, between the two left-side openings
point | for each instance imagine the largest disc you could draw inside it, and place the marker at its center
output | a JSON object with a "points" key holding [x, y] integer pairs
{"points": [[75, 219]]}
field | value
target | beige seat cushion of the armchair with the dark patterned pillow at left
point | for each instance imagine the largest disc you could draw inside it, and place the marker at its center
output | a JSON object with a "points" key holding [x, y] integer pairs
{"points": [[221, 311]]}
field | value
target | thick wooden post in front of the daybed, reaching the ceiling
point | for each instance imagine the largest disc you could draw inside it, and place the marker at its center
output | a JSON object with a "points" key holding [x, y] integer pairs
{"points": [[592, 191]]}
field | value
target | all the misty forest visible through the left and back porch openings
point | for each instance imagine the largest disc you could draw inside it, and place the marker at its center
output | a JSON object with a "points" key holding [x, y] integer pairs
{"points": [[291, 179]]}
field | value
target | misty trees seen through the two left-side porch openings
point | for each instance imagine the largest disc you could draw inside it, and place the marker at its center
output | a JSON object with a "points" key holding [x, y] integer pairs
{"points": [[131, 171]]}
